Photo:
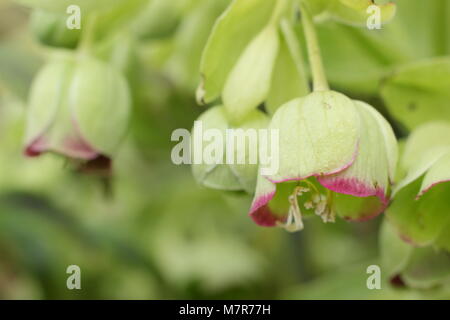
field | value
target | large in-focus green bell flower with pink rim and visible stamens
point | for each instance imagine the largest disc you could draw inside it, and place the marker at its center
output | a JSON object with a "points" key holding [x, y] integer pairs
{"points": [[336, 156]]}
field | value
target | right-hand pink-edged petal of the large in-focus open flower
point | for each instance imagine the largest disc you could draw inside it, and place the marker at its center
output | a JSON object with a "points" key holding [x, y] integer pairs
{"points": [[369, 176]]}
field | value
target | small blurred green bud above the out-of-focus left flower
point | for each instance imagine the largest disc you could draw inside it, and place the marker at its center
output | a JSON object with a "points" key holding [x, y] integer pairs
{"points": [[50, 29]]}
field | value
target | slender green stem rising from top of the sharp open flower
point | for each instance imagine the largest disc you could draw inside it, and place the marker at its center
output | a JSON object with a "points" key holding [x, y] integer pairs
{"points": [[320, 82]]}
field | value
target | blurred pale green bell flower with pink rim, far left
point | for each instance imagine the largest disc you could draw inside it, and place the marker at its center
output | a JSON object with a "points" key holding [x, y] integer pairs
{"points": [[79, 107]]}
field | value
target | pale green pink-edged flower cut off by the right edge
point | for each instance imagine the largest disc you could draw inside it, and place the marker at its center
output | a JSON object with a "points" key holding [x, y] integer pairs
{"points": [[421, 210]]}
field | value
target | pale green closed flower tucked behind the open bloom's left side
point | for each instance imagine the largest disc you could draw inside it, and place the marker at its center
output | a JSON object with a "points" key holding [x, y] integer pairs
{"points": [[211, 137]]}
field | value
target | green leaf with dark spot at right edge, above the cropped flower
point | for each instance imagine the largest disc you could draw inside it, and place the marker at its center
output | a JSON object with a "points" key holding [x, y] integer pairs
{"points": [[420, 92]]}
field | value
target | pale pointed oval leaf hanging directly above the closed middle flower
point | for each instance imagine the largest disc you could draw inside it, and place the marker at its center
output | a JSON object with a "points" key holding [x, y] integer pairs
{"points": [[249, 81]]}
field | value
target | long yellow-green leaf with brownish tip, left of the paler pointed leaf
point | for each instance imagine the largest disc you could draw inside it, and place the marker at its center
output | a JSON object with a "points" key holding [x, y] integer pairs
{"points": [[231, 34]]}
